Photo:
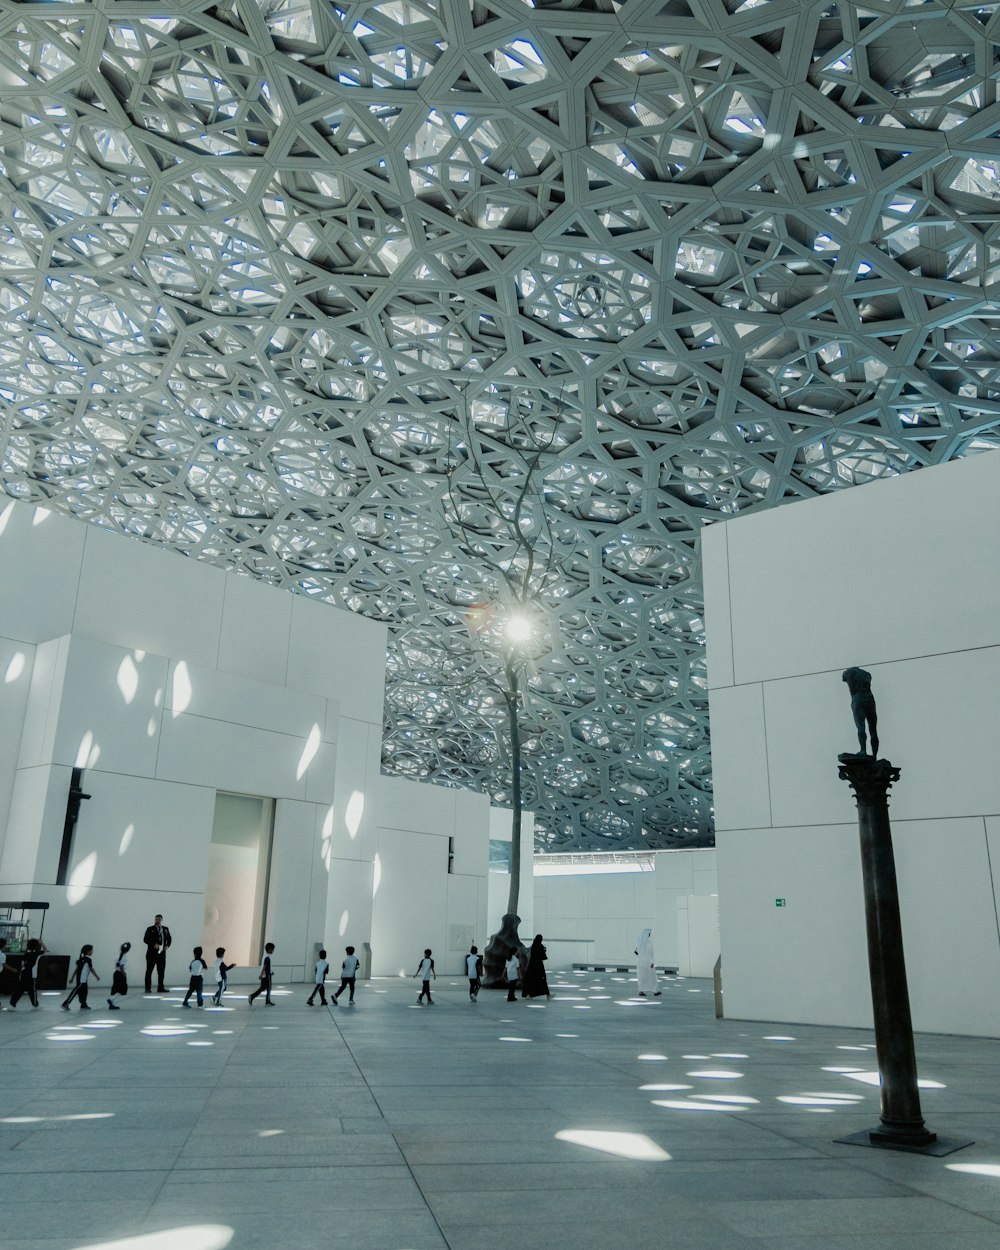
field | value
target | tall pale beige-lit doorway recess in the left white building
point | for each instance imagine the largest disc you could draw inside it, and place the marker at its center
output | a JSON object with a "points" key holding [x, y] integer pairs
{"points": [[239, 871]]}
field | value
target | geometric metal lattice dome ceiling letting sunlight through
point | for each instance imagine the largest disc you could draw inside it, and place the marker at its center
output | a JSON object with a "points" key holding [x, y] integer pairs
{"points": [[266, 264]]}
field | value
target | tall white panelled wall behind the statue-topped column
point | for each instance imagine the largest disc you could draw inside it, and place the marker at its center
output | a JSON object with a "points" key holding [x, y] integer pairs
{"points": [[901, 578]]}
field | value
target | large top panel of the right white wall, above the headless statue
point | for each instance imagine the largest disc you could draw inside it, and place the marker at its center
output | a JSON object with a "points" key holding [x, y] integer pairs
{"points": [[889, 571]]}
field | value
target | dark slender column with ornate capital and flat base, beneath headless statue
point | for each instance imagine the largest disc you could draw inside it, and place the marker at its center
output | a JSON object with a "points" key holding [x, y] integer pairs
{"points": [[902, 1123]]}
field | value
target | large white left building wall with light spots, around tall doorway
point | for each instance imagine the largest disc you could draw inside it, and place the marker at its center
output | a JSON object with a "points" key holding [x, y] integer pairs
{"points": [[169, 681]]}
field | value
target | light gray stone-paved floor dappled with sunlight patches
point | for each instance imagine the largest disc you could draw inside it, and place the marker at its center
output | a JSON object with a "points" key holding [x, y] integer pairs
{"points": [[487, 1127]]}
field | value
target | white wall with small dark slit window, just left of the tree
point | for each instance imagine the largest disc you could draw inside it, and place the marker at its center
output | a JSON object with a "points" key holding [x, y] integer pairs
{"points": [[418, 903]]}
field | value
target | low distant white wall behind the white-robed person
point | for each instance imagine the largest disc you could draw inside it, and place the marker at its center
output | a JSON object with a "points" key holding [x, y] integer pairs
{"points": [[612, 909]]}
